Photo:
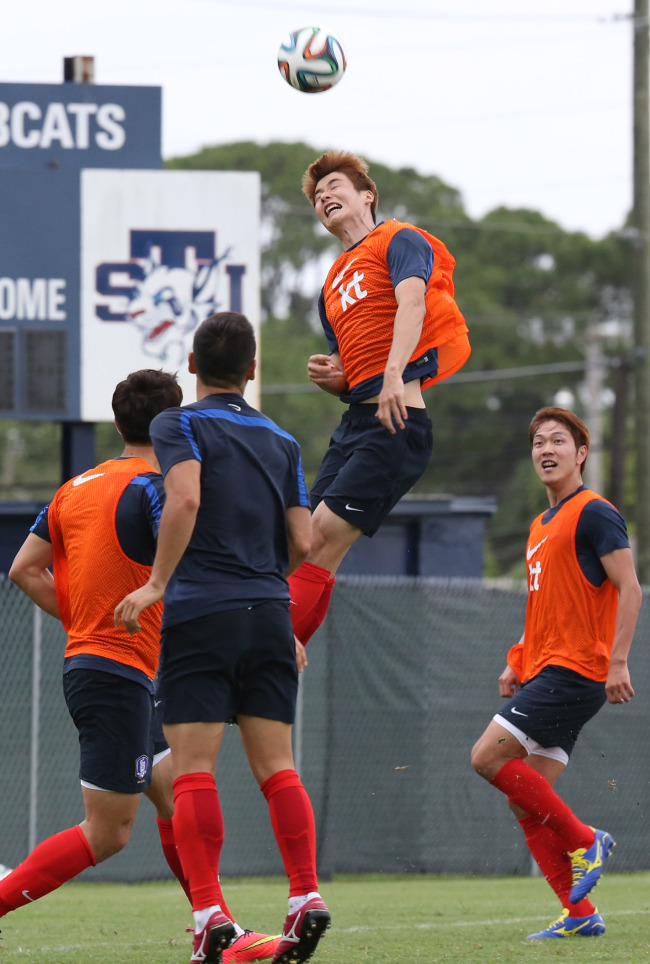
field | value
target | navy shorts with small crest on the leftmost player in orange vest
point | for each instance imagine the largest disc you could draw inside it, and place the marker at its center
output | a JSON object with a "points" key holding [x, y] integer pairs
{"points": [[114, 717]]}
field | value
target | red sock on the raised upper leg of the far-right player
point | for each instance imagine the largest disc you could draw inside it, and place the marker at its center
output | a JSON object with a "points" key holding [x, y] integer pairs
{"points": [[532, 792]]}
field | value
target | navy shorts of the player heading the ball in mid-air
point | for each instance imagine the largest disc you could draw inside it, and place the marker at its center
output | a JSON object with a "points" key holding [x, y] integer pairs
{"points": [[366, 470]]}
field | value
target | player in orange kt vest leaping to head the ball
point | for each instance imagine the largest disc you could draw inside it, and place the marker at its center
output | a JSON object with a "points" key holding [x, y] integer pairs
{"points": [[393, 329]]}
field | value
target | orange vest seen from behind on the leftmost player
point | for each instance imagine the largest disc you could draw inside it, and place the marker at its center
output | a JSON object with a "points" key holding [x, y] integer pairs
{"points": [[92, 573]]}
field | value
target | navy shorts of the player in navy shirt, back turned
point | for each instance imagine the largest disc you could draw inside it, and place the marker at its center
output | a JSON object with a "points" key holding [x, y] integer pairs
{"points": [[240, 661]]}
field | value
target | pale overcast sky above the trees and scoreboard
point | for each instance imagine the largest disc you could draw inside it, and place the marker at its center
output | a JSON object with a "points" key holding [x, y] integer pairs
{"points": [[521, 104]]}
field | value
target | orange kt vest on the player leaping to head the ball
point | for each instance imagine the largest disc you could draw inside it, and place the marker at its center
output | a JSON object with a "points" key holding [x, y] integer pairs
{"points": [[360, 305]]}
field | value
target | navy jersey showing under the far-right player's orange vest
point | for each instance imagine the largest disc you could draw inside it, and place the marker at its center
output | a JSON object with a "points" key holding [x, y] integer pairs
{"points": [[601, 529]]}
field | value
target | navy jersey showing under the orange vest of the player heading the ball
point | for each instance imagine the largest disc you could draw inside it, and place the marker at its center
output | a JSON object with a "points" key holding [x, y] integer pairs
{"points": [[409, 256]]}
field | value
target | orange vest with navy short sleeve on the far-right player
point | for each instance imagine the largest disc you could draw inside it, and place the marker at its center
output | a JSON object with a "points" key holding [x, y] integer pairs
{"points": [[571, 609]]}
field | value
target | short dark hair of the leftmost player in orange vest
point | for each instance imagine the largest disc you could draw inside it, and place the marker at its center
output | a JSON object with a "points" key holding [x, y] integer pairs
{"points": [[139, 398]]}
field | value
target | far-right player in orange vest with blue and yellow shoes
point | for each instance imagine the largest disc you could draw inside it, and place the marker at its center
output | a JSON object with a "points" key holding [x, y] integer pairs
{"points": [[583, 602]]}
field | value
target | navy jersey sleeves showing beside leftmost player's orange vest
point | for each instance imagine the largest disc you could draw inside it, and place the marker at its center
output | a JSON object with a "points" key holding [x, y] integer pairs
{"points": [[136, 521]]}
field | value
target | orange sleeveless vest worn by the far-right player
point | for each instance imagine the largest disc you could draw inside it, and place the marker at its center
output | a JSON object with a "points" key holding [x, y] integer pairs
{"points": [[569, 621]]}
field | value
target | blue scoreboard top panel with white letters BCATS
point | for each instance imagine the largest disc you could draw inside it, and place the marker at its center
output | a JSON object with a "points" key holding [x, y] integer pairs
{"points": [[79, 125]]}
